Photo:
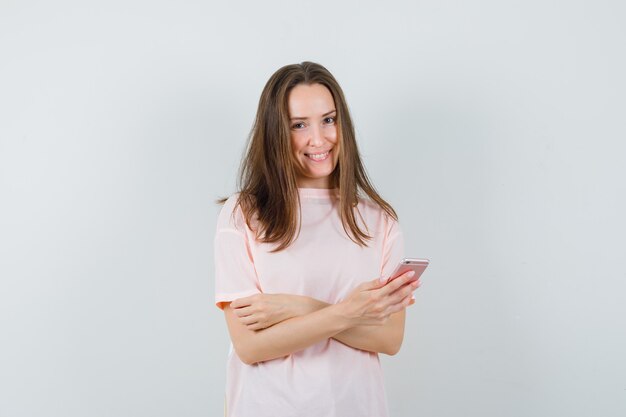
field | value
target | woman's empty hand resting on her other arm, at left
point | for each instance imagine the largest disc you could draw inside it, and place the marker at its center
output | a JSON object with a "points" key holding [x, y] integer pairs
{"points": [[260, 311]]}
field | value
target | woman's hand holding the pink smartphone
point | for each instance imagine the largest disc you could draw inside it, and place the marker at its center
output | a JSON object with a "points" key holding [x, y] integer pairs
{"points": [[372, 302]]}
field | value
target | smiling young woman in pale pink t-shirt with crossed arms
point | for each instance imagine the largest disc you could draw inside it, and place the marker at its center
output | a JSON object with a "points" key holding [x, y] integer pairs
{"points": [[299, 251]]}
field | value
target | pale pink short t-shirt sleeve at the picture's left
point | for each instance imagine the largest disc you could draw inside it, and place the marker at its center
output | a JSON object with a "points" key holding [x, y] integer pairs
{"points": [[235, 273]]}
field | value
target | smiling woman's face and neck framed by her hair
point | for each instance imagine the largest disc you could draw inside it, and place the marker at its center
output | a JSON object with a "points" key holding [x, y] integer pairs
{"points": [[314, 136]]}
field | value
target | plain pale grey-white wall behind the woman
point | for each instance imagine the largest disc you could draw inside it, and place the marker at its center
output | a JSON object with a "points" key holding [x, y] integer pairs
{"points": [[495, 128]]}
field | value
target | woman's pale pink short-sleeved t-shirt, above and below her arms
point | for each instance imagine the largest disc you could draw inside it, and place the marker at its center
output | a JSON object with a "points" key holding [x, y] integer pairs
{"points": [[327, 378]]}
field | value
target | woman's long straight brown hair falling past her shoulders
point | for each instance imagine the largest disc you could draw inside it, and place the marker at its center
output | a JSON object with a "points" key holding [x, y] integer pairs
{"points": [[267, 179]]}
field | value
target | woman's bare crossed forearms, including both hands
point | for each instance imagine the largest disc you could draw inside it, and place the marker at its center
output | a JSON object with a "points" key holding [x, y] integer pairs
{"points": [[372, 318]]}
